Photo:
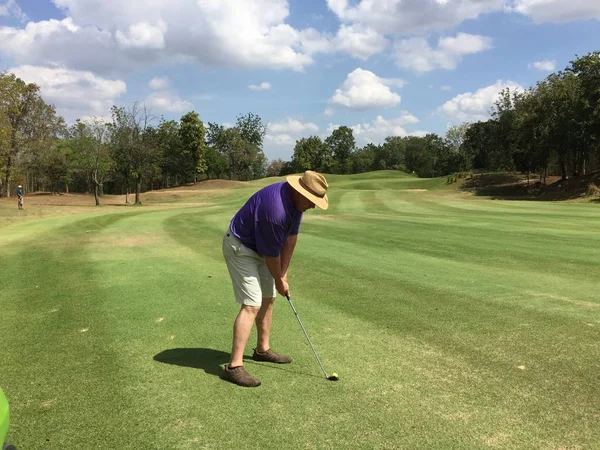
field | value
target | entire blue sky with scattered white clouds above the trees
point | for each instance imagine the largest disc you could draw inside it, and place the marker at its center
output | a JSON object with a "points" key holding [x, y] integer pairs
{"points": [[382, 67]]}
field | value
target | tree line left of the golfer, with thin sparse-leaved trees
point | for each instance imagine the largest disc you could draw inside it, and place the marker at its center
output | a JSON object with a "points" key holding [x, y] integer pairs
{"points": [[133, 152]]}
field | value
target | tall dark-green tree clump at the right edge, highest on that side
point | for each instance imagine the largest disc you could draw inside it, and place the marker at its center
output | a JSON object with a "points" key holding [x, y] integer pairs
{"points": [[552, 128]]}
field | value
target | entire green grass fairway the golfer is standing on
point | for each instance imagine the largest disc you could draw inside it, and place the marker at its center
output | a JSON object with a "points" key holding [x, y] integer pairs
{"points": [[453, 321]]}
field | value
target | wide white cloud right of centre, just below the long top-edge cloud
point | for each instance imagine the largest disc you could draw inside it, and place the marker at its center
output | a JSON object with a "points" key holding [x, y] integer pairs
{"points": [[416, 54]]}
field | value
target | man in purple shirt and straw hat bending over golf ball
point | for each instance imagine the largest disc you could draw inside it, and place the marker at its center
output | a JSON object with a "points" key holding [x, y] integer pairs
{"points": [[257, 248]]}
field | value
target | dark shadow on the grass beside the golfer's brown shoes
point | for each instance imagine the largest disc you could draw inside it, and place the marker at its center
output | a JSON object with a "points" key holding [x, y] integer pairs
{"points": [[207, 359]]}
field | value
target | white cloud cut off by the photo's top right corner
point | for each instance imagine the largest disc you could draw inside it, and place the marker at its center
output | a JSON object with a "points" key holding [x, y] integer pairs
{"points": [[557, 10]]}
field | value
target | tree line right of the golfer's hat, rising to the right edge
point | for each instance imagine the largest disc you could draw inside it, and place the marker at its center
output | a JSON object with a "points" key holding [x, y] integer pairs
{"points": [[551, 128]]}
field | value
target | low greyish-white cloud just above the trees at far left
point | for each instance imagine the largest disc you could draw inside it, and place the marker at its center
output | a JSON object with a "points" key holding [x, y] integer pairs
{"points": [[74, 93]]}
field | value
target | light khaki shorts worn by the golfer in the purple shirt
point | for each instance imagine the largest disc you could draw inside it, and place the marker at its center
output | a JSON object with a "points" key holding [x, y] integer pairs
{"points": [[249, 273]]}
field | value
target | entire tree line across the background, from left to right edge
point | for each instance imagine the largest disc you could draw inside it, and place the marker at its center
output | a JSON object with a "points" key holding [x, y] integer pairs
{"points": [[551, 128]]}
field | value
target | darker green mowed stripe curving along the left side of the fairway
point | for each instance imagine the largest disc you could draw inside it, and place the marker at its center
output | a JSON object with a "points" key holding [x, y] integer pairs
{"points": [[60, 371]]}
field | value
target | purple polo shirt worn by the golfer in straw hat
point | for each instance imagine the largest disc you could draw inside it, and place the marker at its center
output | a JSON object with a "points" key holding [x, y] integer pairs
{"points": [[267, 219]]}
